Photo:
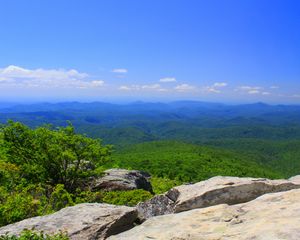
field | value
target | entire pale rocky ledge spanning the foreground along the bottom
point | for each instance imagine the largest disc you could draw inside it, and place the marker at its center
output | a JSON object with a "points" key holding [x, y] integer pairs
{"points": [[219, 208]]}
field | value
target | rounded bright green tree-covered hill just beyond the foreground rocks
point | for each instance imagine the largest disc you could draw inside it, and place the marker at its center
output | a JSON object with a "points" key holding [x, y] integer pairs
{"points": [[188, 163]]}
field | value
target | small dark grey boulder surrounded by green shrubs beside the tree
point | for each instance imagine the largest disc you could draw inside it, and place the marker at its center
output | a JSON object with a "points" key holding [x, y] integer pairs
{"points": [[122, 179]]}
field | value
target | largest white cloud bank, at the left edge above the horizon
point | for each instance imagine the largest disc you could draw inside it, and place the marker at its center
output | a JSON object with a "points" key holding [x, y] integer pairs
{"points": [[46, 78]]}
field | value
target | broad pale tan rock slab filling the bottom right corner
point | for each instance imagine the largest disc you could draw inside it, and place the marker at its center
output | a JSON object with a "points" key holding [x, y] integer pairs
{"points": [[274, 216]]}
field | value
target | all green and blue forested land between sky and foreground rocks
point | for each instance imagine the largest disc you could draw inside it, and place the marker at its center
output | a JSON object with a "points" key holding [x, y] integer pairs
{"points": [[48, 152]]}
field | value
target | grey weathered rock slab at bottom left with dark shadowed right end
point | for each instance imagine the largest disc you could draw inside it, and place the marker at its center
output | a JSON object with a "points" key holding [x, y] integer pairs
{"points": [[83, 221]]}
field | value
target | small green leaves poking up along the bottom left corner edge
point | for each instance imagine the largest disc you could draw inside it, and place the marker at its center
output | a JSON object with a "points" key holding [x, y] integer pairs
{"points": [[32, 235]]}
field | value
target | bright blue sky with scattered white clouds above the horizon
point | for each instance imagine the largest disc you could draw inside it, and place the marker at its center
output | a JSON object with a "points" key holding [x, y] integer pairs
{"points": [[157, 50]]}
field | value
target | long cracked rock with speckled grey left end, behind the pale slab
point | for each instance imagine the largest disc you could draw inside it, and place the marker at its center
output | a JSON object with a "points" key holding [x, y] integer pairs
{"points": [[214, 191]]}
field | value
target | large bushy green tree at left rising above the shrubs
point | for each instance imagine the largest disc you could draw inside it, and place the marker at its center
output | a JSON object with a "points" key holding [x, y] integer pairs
{"points": [[52, 156]]}
